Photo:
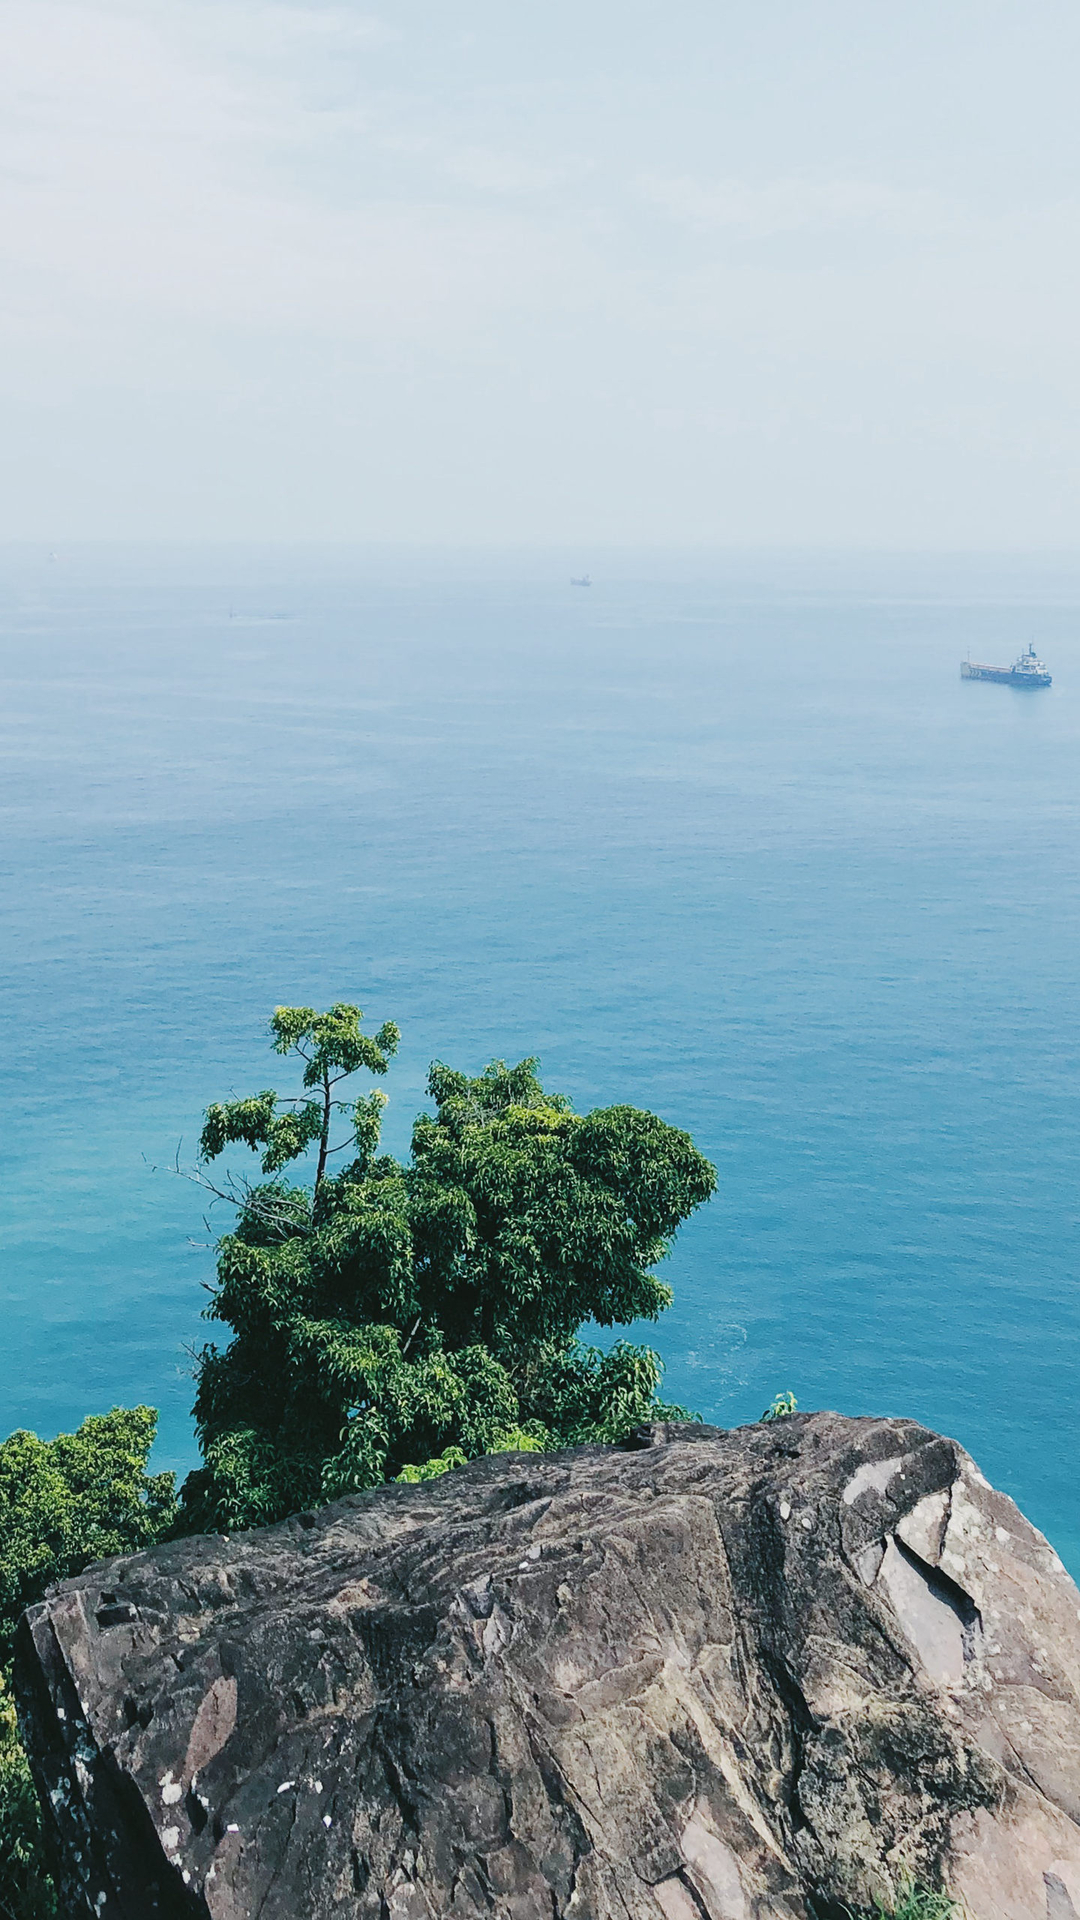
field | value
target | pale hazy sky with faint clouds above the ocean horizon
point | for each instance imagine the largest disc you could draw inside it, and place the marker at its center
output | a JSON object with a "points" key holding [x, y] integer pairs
{"points": [[777, 272]]}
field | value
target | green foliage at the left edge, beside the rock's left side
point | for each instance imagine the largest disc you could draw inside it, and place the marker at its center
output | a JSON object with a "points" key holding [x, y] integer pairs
{"points": [[64, 1504]]}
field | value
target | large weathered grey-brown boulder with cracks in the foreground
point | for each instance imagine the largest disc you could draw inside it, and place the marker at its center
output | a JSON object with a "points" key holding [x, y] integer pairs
{"points": [[749, 1675]]}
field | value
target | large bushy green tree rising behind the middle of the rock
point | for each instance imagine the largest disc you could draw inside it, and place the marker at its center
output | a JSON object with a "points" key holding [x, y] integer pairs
{"points": [[393, 1318]]}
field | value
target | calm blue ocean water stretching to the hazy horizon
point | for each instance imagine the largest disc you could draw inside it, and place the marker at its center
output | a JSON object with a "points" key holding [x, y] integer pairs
{"points": [[725, 838]]}
